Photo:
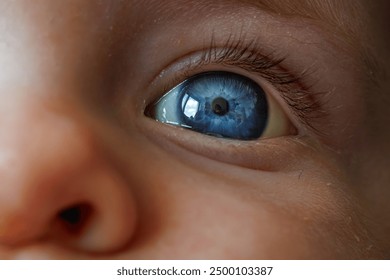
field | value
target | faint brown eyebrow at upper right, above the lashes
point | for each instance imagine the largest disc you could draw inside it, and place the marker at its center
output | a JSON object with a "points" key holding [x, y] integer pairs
{"points": [[346, 20]]}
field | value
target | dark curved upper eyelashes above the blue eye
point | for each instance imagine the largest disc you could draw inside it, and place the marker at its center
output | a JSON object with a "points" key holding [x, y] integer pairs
{"points": [[247, 55]]}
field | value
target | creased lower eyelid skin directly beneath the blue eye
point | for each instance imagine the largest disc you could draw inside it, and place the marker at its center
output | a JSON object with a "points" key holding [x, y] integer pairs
{"points": [[269, 155]]}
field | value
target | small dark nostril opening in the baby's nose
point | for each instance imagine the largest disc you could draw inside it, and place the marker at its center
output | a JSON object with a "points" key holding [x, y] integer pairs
{"points": [[74, 218]]}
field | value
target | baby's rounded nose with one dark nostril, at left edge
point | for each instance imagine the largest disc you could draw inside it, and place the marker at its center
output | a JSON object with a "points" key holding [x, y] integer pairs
{"points": [[57, 182]]}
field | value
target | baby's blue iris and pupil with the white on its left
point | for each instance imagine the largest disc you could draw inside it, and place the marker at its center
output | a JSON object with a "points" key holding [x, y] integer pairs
{"points": [[221, 104]]}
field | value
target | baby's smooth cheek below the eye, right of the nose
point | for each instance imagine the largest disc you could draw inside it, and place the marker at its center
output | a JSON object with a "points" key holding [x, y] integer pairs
{"points": [[219, 211]]}
